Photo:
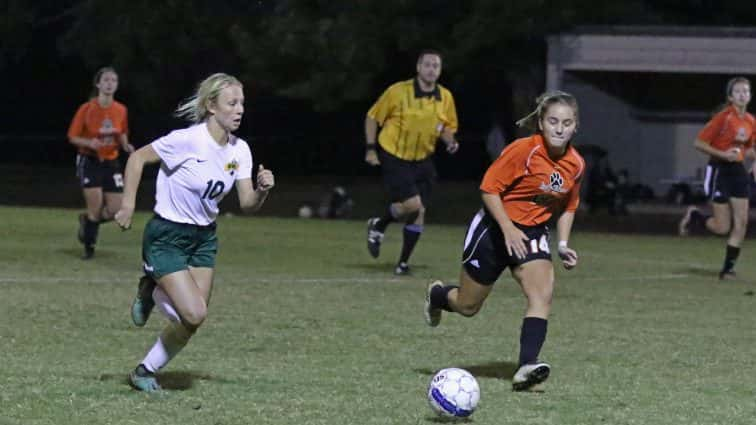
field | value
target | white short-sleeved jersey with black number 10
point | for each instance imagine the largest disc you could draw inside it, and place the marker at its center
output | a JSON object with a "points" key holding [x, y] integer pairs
{"points": [[196, 173]]}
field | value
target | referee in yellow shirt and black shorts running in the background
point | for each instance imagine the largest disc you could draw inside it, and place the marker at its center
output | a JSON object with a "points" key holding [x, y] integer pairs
{"points": [[413, 115]]}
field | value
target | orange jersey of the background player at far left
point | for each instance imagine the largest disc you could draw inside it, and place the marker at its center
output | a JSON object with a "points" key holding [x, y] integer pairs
{"points": [[106, 124]]}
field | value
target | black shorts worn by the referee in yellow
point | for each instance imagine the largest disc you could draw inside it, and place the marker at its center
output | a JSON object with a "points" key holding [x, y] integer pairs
{"points": [[404, 179]]}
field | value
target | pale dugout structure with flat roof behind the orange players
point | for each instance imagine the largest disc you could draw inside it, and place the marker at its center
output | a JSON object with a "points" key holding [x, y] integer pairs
{"points": [[645, 92]]}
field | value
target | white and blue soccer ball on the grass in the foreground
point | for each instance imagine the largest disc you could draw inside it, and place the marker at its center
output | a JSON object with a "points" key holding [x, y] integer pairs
{"points": [[454, 393]]}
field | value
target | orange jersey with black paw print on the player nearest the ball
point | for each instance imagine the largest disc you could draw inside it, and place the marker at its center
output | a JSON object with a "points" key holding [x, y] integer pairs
{"points": [[531, 185]]}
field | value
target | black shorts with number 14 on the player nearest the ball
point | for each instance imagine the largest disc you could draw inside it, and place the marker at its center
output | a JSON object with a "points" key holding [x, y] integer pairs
{"points": [[485, 254]]}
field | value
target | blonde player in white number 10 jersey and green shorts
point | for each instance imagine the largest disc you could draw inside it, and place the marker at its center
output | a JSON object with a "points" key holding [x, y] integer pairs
{"points": [[198, 167]]}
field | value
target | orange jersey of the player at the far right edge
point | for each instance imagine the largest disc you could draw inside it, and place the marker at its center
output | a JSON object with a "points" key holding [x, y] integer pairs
{"points": [[729, 130]]}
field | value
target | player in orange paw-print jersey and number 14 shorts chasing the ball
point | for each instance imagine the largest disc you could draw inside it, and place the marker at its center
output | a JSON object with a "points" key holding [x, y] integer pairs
{"points": [[533, 178]]}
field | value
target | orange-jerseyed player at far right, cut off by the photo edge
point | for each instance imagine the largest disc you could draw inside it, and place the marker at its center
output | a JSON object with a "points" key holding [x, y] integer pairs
{"points": [[728, 139]]}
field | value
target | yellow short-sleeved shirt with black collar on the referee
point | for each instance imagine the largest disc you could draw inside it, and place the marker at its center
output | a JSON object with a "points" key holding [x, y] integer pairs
{"points": [[412, 120]]}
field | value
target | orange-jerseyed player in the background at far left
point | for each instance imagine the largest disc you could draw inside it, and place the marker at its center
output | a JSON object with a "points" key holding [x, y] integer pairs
{"points": [[99, 129]]}
